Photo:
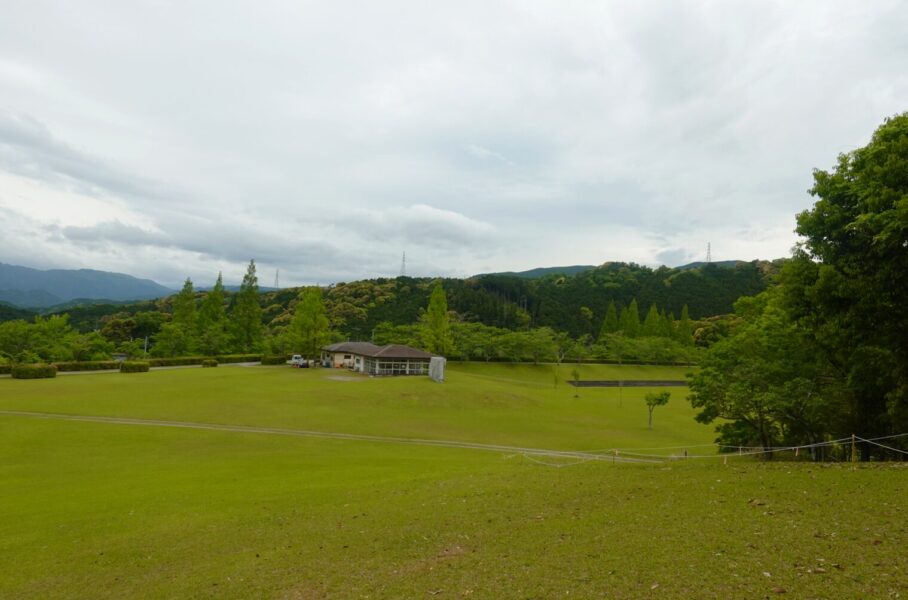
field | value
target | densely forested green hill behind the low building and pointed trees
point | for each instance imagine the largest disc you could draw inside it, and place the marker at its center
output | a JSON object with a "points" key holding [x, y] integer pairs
{"points": [[573, 304]]}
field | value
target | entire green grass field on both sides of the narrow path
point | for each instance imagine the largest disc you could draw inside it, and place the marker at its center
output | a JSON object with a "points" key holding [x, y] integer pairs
{"points": [[105, 510]]}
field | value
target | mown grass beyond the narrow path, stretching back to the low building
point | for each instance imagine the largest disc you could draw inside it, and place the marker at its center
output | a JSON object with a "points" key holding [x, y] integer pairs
{"points": [[501, 404]]}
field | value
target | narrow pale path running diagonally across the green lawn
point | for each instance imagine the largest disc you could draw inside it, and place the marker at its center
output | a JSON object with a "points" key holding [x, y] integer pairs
{"points": [[561, 454]]}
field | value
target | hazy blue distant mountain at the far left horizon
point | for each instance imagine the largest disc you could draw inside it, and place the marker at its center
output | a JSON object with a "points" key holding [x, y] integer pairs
{"points": [[34, 288]]}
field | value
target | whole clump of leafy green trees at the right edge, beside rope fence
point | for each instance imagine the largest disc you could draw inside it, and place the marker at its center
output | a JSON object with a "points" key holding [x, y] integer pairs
{"points": [[823, 354]]}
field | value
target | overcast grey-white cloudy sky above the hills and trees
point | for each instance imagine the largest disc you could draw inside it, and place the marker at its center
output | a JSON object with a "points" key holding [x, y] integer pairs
{"points": [[174, 139]]}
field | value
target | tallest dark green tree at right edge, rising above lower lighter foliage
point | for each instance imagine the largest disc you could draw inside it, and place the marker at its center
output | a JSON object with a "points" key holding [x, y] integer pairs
{"points": [[848, 286]]}
